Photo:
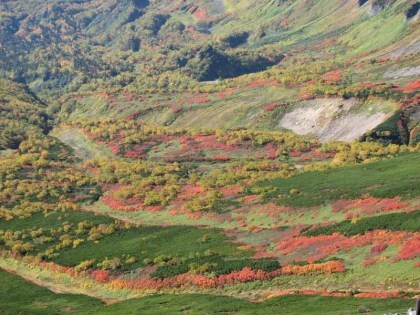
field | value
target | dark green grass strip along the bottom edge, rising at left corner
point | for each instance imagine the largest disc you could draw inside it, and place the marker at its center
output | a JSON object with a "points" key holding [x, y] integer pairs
{"points": [[18, 296]]}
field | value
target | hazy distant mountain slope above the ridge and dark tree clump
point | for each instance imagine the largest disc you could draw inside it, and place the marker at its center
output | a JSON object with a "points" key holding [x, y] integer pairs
{"points": [[75, 42]]}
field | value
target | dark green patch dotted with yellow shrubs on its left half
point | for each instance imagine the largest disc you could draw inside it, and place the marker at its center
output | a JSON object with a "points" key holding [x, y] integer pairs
{"points": [[72, 238]]}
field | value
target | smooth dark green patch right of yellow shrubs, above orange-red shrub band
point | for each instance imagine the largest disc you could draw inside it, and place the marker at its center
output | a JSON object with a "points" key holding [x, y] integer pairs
{"points": [[149, 242]]}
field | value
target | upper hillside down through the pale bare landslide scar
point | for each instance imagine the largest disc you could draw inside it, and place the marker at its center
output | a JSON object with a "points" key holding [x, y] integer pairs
{"points": [[164, 62]]}
